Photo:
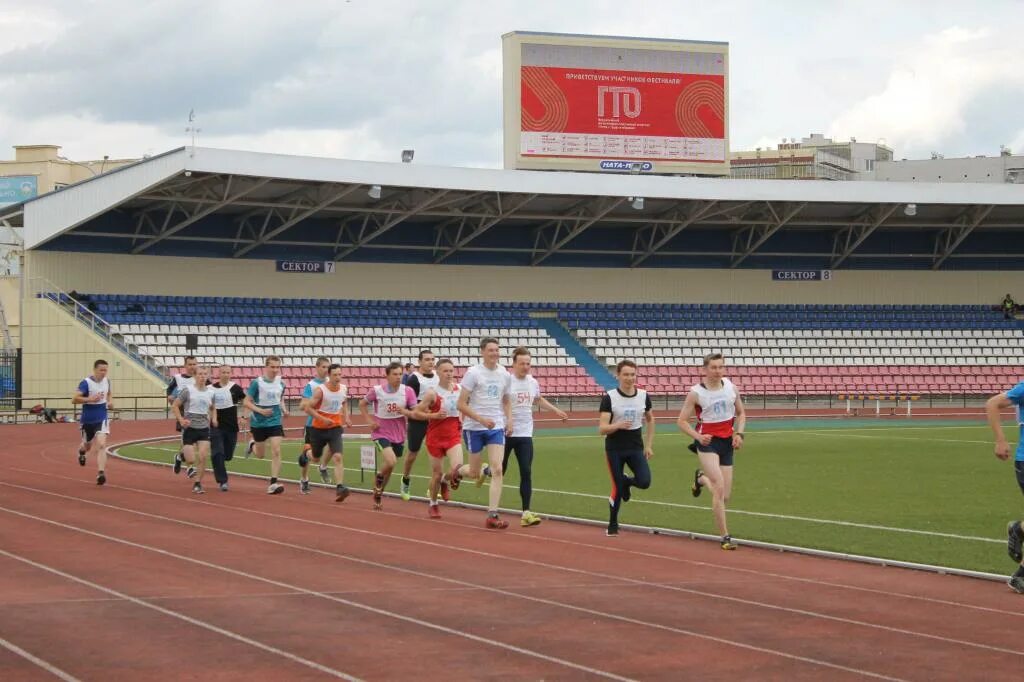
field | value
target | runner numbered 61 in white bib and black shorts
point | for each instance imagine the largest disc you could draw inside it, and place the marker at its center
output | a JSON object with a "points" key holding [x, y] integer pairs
{"points": [[719, 432]]}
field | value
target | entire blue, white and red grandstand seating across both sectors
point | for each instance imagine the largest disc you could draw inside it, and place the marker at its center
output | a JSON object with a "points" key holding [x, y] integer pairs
{"points": [[771, 350]]}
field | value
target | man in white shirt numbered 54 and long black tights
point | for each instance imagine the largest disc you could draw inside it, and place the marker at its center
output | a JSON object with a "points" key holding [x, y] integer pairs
{"points": [[525, 392]]}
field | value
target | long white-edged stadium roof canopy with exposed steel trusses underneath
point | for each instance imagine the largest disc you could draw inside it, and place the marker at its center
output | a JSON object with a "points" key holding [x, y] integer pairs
{"points": [[225, 204]]}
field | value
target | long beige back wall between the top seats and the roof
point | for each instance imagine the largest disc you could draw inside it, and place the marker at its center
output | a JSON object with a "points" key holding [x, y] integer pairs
{"points": [[203, 277]]}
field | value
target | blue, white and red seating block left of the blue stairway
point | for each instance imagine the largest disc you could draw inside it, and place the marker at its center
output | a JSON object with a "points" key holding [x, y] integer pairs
{"points": [[364, 336]]}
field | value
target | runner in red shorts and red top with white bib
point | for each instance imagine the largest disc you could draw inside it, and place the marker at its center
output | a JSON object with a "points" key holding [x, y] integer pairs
{"points": [[441, 408]]}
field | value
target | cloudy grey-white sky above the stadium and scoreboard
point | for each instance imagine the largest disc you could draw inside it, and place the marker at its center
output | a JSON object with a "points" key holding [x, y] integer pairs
{"points": [[364, 79]]}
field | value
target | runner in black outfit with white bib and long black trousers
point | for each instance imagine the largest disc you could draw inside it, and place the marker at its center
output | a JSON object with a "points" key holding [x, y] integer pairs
{"points": [[624, 413]]}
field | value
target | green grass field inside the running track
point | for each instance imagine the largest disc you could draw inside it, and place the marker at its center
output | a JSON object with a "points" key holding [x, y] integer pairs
{"points": [[927, 492]]}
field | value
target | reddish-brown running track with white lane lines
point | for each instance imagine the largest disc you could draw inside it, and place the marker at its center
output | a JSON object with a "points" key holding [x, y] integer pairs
{"points": [[141, 580]]}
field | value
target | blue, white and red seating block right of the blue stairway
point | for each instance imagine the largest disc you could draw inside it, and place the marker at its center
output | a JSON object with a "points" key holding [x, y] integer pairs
{"points": [[814, 350]]}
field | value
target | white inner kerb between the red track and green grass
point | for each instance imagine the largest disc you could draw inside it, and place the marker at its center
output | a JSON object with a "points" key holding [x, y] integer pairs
{"points": [[656, 531]]}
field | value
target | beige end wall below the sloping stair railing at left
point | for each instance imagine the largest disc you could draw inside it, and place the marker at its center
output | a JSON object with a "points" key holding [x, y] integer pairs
{"points": [[58, 352]]}
